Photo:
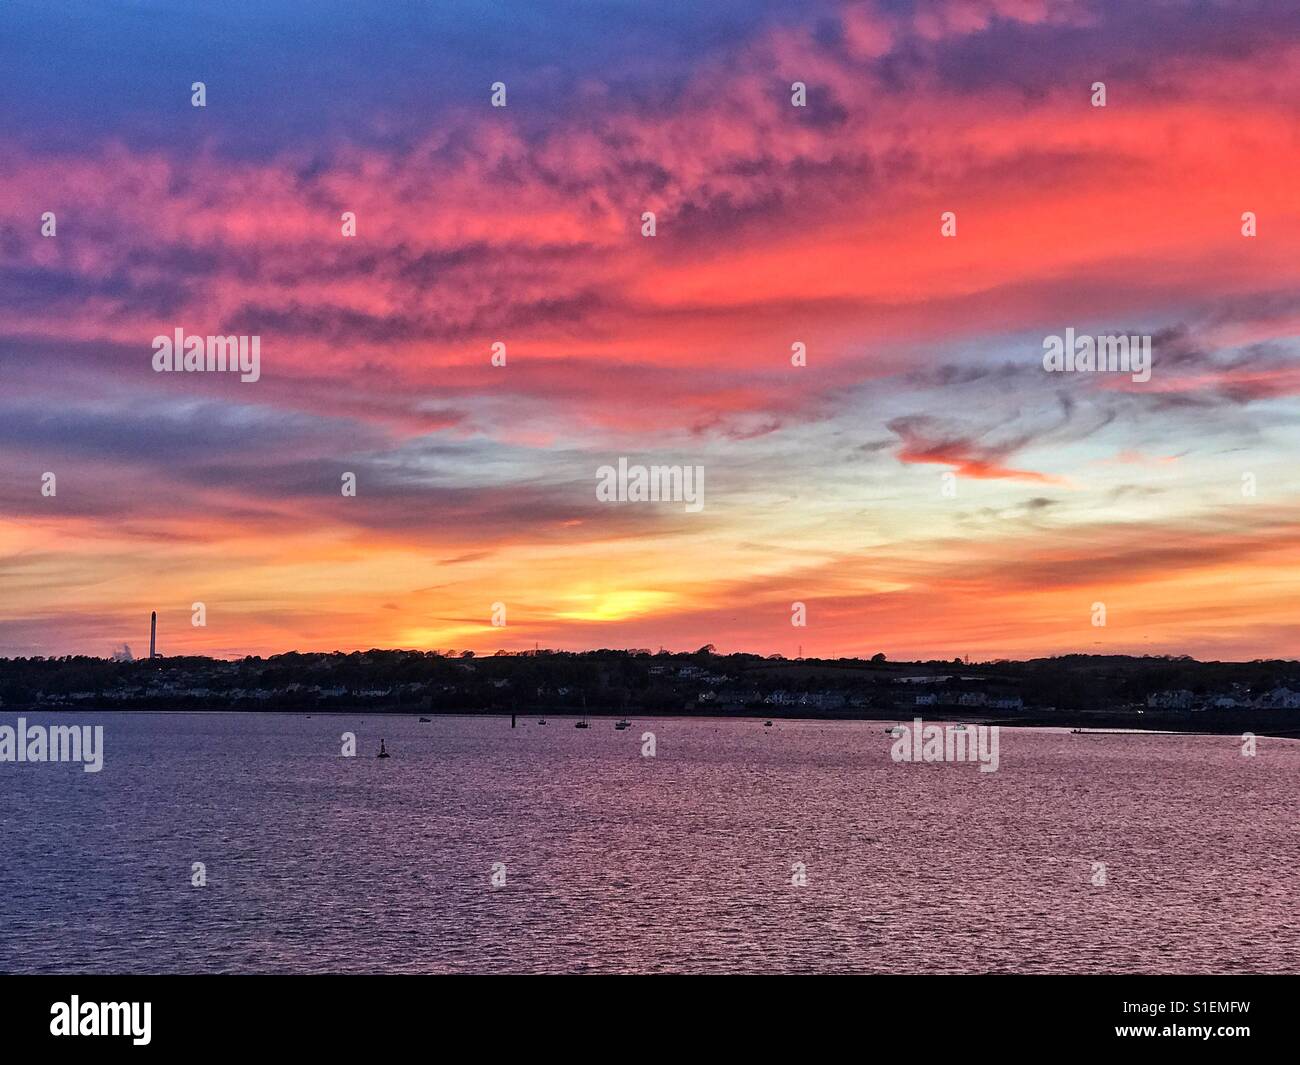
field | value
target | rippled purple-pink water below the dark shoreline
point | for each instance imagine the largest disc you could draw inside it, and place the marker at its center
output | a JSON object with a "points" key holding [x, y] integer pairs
{"points": [[618, 863]]}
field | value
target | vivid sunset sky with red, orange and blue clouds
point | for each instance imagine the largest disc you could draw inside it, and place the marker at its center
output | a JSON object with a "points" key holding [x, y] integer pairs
{"points": [[824, 484]]}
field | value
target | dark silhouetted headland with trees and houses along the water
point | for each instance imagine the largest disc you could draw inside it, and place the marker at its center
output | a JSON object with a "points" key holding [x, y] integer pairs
{"points": [[1077, 691]]}
